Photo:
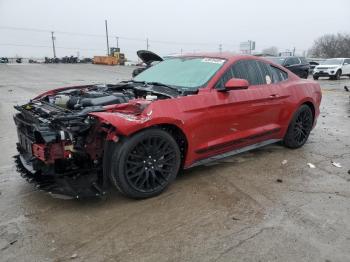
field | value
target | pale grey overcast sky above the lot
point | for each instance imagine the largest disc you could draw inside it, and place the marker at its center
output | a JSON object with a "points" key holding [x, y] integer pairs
{"points": [[170, 25]]}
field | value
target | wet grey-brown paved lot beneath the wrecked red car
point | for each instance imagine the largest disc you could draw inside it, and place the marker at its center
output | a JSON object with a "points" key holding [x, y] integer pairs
{"points": [[234, 210]]}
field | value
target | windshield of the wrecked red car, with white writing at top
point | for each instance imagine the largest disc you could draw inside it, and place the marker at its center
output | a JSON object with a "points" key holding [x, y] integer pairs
{"points": [[182, 72]]}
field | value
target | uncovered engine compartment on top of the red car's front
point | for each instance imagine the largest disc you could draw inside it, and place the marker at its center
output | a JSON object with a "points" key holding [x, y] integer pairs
{"points": [[85, 99]]}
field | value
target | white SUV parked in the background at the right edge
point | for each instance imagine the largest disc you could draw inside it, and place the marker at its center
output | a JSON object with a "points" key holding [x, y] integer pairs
{"points": [[333, 68]]}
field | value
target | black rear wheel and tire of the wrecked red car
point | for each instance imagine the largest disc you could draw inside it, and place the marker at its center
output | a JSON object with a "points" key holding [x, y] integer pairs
{"points": [[299, 128]]}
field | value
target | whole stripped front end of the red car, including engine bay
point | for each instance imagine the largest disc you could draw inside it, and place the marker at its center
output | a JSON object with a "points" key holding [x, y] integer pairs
{"points": [[58, 138]]}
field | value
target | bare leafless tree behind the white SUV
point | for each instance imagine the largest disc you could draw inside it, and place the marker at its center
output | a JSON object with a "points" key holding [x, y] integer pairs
{"points": [[331, 45]]}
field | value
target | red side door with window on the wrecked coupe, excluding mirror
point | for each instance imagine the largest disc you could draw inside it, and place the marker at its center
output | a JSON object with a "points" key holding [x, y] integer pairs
{"points": [[239, 118]]}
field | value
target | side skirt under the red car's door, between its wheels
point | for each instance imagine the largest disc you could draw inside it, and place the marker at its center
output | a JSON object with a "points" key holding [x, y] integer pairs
{"points": [[232, 153]]}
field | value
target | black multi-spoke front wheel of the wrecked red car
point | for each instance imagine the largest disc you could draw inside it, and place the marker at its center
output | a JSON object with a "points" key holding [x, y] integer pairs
{"points": [[145, 164]]}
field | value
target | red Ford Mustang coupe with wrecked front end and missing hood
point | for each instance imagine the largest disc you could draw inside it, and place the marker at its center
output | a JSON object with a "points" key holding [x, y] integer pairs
{"points": [[180, 113]]}
